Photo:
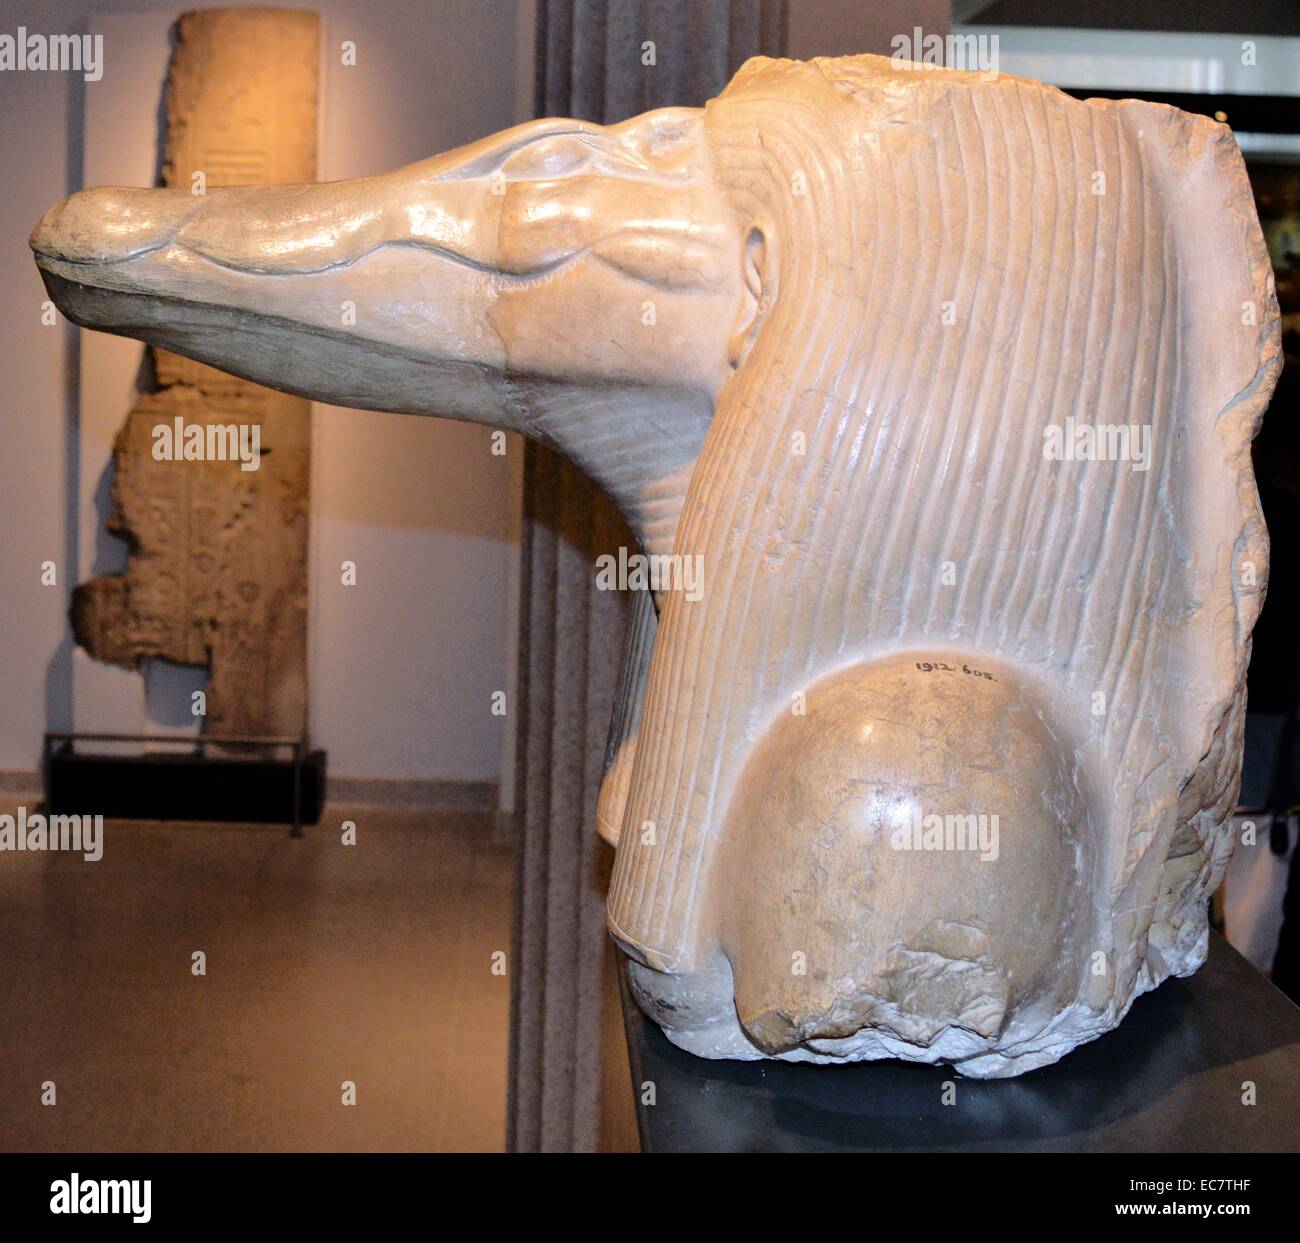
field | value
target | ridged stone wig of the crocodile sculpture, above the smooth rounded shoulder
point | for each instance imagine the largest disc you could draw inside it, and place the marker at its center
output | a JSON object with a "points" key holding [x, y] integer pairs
{"points": [[925, 445]]}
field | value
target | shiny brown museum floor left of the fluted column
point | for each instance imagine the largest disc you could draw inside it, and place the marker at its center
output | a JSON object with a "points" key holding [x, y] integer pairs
{"points": [[326, 964]]}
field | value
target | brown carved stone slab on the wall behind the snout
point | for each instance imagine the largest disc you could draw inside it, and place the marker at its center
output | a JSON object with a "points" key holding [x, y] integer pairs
{"points": [[218, 574]]}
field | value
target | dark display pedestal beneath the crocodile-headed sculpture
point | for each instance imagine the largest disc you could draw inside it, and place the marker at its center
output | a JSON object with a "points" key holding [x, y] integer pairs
{"points": [[1168, 1080]]}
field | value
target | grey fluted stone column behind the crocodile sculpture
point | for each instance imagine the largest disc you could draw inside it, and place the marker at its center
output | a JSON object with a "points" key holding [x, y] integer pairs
{"points": [[590, 66]]}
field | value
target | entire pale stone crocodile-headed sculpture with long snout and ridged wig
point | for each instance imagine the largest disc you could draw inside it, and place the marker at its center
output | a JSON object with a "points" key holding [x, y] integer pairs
{"points": [[950, 384]]}
